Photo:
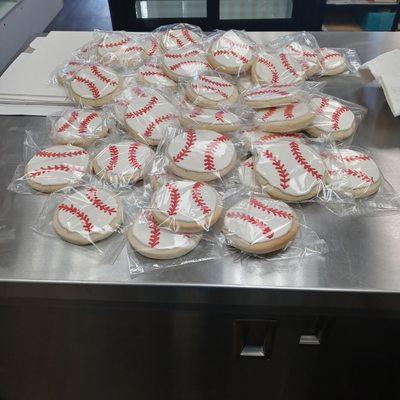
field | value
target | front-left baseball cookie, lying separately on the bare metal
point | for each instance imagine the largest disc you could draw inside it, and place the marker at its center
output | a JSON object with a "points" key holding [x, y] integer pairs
{"points": [[88, 216]]}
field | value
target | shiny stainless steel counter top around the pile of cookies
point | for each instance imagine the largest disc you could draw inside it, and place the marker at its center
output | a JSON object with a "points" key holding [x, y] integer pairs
{"points": [[362, 266]]}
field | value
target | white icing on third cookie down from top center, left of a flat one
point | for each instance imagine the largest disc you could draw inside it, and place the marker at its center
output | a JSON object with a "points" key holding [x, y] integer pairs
{"points": [[212, 88]]}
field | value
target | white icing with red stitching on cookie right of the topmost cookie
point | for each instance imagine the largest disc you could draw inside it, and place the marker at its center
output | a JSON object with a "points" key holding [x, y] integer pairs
{"points": [[232, 50]]}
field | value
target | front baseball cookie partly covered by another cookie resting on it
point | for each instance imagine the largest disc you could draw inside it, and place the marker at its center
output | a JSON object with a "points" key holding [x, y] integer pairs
{"points": [[149, 239]]}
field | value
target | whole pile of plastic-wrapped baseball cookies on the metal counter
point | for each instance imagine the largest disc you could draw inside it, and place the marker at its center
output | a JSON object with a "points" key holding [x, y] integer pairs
{"points": [[205, 101]]}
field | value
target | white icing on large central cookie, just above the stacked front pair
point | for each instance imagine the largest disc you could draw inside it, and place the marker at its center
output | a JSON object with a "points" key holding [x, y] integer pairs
{"points": [[201, 151]]}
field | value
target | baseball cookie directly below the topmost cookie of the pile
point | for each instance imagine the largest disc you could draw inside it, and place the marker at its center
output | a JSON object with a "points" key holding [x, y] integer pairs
{"points": [[184, 64]]}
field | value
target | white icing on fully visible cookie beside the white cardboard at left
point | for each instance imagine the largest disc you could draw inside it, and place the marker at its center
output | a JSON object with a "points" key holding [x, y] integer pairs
{"points": [[94, 82]]}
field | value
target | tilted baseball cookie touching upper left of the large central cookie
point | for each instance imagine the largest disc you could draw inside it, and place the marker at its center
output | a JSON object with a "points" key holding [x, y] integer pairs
{"points": [[147, 118]]}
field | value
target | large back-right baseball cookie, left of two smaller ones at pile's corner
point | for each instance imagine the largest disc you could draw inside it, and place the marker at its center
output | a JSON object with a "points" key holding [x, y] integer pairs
{"points": [[277, 69]]}
